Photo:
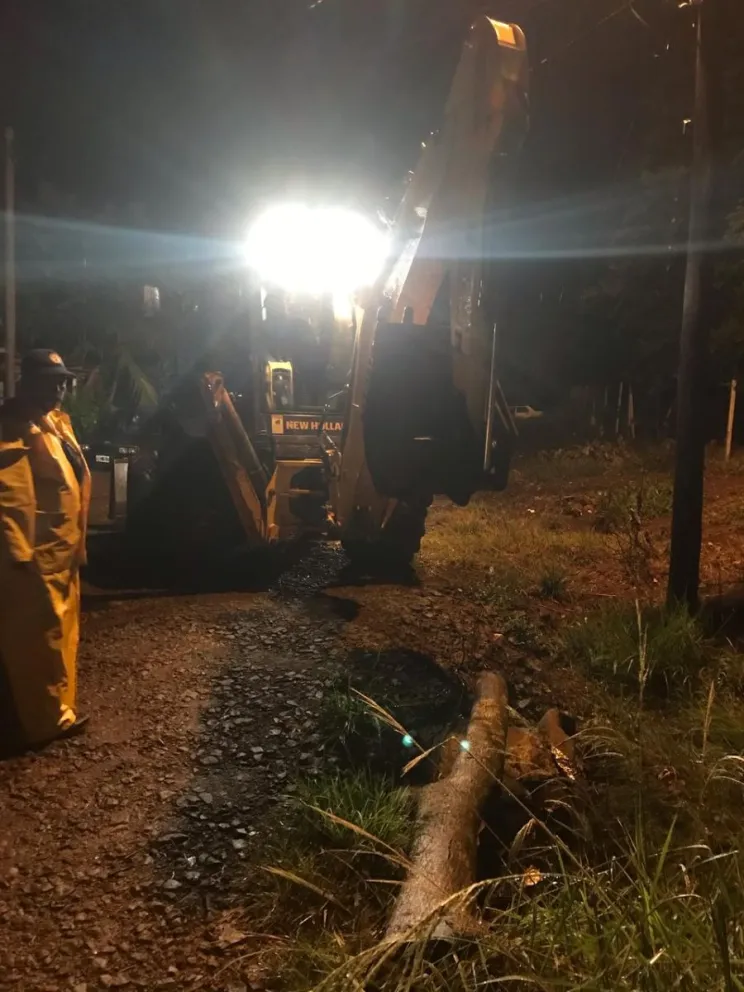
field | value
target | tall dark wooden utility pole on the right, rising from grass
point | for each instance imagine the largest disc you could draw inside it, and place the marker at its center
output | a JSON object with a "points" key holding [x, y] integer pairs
{"points": [[687, 508]]}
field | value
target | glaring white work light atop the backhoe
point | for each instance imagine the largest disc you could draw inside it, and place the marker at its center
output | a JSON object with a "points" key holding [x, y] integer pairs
{"points": [[316, 249]]}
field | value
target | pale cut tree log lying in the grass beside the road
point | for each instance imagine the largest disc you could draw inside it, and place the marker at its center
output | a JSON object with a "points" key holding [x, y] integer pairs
{"points": [[445, 851]]}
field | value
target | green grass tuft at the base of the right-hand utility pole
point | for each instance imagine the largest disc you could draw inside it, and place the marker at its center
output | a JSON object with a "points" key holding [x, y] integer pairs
{"points": [[661, 649]]}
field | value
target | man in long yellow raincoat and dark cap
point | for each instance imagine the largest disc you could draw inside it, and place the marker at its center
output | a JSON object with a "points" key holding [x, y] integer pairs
{"points": [[44, 500]]}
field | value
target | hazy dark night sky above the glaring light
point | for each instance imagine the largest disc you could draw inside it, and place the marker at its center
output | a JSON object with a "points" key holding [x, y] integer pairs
{"points": [[192, 108]]}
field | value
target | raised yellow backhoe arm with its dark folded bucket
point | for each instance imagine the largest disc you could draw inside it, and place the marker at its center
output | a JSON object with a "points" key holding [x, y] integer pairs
{"points": [[426, 414]]}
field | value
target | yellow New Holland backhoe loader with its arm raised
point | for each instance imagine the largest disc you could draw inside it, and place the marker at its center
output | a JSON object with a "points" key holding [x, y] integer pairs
{"points": [[344, 426]]}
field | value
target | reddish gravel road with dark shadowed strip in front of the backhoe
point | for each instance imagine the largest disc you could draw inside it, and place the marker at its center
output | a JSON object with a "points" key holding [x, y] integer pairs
{"points": [[121, 852]]}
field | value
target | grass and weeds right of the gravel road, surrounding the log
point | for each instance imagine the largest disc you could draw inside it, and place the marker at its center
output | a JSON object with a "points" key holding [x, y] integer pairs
{"points": [[650, 897]]}
